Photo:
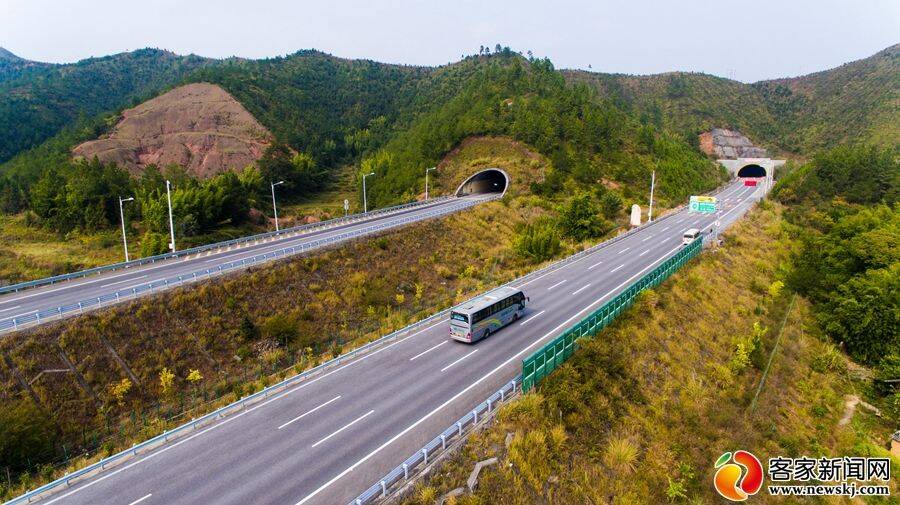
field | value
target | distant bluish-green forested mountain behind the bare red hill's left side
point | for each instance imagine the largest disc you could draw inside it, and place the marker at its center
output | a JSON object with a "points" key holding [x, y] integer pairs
{"points": [[38, 101]]}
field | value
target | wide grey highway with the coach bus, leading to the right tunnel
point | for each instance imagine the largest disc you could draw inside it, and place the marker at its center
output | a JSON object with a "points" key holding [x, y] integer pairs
{"points": [[327, 439]]}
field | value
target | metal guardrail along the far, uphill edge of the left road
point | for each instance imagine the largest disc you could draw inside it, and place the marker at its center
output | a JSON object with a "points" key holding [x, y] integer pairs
{"points": [[218, 245]]}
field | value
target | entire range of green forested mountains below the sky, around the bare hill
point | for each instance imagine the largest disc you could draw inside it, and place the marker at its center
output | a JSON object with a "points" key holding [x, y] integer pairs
{"points": [[326, 112]]}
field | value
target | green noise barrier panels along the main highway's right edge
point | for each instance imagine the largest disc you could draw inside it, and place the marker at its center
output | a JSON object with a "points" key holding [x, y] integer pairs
{"points": [[546, 359]]}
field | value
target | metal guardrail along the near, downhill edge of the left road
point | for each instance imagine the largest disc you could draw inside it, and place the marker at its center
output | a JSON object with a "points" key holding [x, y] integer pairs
{"points": [[15, 323]]}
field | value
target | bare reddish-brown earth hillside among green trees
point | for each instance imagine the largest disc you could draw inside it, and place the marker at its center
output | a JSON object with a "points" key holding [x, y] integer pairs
{"points": [[198, 126]]}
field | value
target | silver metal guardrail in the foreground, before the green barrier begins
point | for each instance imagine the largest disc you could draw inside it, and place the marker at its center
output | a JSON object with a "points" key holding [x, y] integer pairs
{"points": [[437, 445]]}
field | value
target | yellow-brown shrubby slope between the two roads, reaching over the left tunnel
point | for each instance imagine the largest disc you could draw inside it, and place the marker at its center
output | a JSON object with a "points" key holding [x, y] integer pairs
{"points": [[135, 363]]}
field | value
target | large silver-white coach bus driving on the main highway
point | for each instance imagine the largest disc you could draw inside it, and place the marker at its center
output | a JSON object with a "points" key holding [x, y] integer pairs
{"points": [[486, 314]]}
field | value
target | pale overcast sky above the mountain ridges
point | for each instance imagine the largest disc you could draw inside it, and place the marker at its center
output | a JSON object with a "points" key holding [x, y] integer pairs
{"points": [[746, 41]]}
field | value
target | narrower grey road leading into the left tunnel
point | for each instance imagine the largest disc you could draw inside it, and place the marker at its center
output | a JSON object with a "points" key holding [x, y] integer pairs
{"points": [[30, 301]]}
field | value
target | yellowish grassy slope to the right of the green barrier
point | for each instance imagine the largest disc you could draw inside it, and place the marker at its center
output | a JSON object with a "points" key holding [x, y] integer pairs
{"points": [[642, 410]]}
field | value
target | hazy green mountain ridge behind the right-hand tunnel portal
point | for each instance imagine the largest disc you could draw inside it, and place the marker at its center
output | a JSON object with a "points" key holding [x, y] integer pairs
{"points": [[857, 101]]}
